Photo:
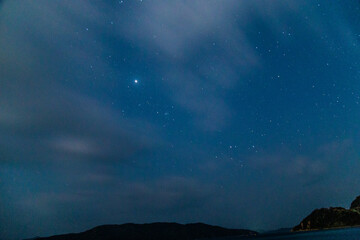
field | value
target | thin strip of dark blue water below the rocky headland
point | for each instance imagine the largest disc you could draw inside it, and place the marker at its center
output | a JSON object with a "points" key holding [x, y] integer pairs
{"points": [[340, 234]]}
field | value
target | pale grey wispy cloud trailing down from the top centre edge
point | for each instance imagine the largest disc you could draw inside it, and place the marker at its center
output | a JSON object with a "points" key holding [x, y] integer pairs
{"points": [[182, 29]]}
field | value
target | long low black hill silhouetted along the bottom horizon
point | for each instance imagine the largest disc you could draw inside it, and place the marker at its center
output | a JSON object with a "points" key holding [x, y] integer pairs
{"points": [[153, 231]]}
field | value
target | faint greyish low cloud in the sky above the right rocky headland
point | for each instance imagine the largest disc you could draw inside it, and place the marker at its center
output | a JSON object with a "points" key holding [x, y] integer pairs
{"points": [[306, 167]]}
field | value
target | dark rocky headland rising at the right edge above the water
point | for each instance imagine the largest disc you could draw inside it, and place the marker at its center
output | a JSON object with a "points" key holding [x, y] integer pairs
{"points": [[333, 217]]}
